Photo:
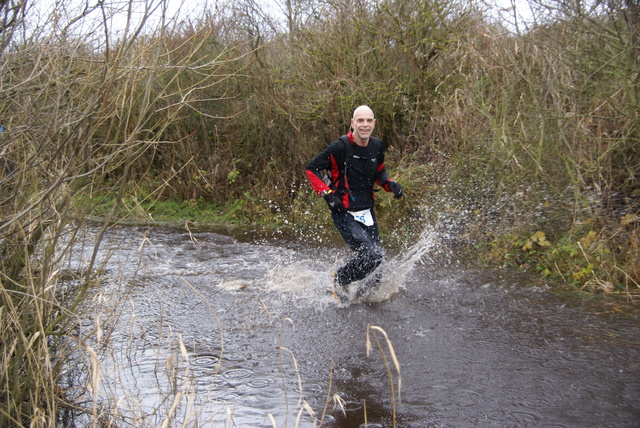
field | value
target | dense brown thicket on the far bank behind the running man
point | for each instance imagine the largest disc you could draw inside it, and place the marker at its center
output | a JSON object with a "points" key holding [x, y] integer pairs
{"points": [[525, 141]]}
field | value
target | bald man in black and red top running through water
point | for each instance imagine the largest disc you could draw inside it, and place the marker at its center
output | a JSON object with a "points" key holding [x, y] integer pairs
{"points": [[354, 163]]}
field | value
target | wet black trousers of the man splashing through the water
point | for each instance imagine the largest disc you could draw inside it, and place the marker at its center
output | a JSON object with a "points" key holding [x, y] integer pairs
{"points": [[364, 241]]}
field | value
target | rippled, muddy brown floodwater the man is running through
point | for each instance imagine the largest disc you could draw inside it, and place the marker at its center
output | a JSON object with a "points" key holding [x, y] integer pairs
{"points": [[229, 328]]}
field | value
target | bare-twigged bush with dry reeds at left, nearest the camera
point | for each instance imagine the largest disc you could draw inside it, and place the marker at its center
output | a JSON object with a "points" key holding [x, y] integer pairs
{"points": [[79, 111]]}
